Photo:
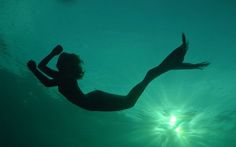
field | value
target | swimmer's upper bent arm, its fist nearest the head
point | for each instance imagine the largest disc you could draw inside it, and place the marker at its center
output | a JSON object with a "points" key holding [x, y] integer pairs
{"points": [[43, 64]]}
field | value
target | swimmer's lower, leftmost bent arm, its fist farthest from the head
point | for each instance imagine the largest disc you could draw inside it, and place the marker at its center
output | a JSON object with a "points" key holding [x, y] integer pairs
{"points": [[42, 78]]}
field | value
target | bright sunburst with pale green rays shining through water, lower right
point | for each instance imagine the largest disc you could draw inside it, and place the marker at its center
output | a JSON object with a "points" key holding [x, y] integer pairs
{"points": [[166, 125]]}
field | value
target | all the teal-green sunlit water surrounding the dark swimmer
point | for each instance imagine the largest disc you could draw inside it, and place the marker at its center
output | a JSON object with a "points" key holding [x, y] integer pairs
{"points": [[119, 40]]}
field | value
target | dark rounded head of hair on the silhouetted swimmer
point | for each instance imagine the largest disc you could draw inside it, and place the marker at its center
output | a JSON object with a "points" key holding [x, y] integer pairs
{"points": [[70, 66]]}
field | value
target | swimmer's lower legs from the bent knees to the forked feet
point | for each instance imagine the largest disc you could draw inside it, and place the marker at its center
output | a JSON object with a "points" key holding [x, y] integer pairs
{"points": [[174, 61]]}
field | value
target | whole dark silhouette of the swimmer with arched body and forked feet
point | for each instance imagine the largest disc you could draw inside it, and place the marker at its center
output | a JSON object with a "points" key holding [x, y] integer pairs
{"points": [[70, 70]]}
